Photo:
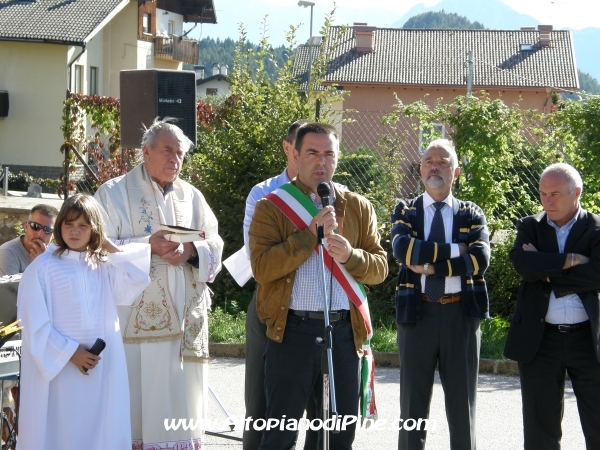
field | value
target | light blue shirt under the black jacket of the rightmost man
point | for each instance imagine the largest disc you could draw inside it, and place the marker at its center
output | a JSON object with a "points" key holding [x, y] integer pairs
{"points": [[567, 309]]}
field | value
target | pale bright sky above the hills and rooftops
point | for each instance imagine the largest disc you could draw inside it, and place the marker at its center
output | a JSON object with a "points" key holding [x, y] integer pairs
{"points": [[573, 14]]}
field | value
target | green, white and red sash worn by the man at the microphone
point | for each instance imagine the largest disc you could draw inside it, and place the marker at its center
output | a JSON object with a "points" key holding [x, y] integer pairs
{"points": [[298, 208]]}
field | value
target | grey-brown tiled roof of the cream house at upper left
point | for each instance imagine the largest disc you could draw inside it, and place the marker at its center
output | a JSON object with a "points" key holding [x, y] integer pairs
{"points": [[56, 21]]}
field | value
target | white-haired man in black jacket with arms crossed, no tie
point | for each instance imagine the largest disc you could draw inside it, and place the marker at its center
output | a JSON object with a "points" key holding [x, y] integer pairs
{"points": [[554, 329]]}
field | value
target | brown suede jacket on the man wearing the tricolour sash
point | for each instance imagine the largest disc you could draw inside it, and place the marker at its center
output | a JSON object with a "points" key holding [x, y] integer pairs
{"points": [[278, 248]]}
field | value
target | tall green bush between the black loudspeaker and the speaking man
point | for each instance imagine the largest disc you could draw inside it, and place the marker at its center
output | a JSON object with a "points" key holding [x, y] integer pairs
{"points": [[239, 145]]}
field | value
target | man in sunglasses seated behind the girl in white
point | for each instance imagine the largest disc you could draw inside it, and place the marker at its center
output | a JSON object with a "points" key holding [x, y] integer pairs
{"points": [[17, 254]]}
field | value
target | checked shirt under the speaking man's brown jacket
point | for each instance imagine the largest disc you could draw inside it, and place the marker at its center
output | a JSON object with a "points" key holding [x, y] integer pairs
{"points": [[307, 290]]}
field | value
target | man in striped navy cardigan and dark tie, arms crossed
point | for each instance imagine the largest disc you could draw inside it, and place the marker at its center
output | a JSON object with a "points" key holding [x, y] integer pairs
{"points": [[442, 245]]}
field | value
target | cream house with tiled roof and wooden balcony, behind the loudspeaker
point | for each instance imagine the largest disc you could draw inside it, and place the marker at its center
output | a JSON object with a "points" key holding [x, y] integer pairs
{"points": [[51, 47]]}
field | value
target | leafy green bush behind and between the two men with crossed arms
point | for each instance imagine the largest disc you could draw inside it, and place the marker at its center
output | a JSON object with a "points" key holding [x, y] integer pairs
{"points": [[496, 158]]}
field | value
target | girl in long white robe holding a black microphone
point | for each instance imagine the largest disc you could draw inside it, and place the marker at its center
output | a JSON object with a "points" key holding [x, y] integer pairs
{"points": [[67, 299]]}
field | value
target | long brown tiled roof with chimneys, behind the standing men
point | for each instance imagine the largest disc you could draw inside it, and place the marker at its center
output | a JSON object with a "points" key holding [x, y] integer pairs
{"points": [[438, 57]]}
